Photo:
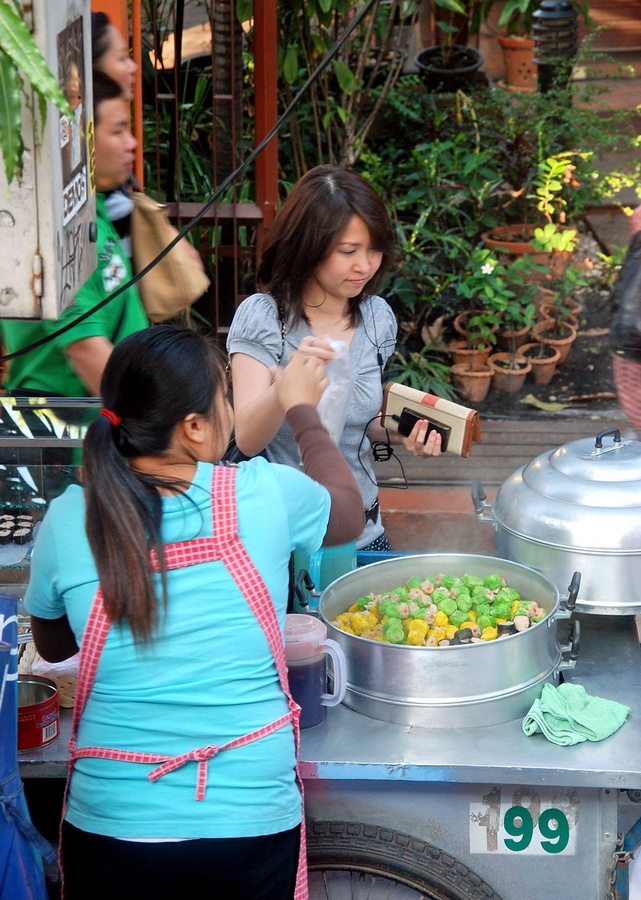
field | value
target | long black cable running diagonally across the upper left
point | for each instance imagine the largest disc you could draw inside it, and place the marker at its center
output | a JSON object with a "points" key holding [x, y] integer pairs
{"points": [[217, 193]]}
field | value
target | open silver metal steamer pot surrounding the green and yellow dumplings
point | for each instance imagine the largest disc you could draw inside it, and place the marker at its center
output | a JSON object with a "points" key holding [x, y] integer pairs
{"points": [[455, 686]]}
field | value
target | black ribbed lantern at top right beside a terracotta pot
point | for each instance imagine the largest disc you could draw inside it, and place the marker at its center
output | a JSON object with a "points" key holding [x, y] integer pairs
{"points": [[556, 41]]}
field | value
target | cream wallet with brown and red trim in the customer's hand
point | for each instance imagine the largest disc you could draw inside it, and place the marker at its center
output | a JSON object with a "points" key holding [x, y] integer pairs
{"points": [[459, 425]]}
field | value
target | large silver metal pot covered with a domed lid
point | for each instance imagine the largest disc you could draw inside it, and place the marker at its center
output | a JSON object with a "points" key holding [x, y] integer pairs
{"points": [[576, 507]]}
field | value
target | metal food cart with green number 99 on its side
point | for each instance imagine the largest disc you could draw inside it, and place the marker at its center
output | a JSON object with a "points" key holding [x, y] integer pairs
{"points": [[467, 812]]}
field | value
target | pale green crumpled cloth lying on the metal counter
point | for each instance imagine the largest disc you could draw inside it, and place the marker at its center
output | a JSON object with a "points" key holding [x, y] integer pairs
{"points": [[567, 715]]}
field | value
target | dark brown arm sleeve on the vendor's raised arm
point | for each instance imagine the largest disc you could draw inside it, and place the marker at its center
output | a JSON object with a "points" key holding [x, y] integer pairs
{"points": [[323, 461]]}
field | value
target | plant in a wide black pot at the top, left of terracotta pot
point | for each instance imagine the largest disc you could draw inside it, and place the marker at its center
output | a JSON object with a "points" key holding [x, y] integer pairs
{"points": [[450, 64]]}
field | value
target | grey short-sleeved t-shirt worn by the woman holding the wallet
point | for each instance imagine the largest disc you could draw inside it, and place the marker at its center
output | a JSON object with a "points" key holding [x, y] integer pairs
{"points": [[256, 331]]}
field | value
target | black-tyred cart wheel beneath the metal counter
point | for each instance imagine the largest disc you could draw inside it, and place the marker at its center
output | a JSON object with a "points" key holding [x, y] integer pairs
{"points": [[367, 862]]}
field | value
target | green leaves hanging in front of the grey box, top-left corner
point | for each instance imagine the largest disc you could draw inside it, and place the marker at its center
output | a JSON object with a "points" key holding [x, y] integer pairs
{"points": [[21, 64]]}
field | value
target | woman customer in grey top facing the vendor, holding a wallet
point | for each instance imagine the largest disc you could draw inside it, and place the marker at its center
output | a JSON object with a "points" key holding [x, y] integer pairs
{"points": [[325, 256]]}
